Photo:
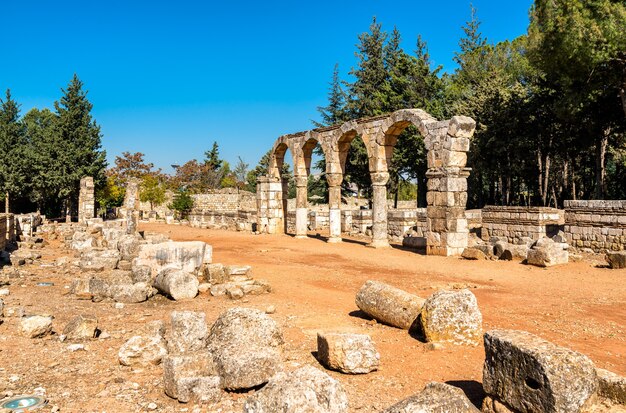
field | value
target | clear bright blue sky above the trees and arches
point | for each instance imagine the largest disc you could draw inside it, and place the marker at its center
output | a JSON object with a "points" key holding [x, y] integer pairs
{"points": [[167, 78]]}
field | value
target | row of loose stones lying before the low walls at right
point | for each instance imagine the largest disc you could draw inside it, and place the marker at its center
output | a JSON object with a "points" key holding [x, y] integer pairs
{"points": [[544, 252]]}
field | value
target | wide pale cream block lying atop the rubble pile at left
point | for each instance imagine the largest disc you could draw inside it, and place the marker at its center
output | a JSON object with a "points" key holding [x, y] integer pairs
{"points": [[188, 256]]}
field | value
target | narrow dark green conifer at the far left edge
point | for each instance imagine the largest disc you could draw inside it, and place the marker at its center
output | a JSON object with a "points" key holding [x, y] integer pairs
{"points": [[12, 150]]}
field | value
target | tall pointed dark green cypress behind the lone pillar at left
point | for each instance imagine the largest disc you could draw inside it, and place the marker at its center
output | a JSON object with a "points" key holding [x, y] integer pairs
{"points": [[79, 136]]}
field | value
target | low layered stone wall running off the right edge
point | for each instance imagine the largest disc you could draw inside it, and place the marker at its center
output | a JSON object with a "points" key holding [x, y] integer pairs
{"points": [[599, 225]]}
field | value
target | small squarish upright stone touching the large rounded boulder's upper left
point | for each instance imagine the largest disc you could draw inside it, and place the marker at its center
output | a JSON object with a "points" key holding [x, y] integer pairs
{"points": [[188, 332]]}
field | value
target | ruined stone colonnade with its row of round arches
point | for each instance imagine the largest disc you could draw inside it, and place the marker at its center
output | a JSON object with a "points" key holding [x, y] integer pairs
{"points": [[447, 143]]}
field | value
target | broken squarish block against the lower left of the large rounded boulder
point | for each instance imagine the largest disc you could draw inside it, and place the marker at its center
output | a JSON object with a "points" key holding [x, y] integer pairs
{"points": [[176, 368]]}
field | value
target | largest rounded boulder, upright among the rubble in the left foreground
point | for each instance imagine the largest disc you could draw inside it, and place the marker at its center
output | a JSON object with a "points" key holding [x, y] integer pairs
{"points": [[252, 364]]}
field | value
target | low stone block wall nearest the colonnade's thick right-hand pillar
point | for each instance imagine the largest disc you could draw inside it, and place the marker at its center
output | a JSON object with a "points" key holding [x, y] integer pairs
{"points": [[516, 222]]}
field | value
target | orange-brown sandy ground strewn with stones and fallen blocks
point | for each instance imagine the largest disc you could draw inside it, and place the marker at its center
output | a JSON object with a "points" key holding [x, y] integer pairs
{"points": [[580, 305]]}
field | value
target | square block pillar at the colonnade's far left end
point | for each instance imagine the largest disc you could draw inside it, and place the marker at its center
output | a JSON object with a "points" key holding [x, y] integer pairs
{"points": [[269, 197]]}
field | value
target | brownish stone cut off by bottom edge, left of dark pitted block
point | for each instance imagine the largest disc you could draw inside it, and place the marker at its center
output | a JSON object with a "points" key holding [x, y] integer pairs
{"points": [[435, 398]]}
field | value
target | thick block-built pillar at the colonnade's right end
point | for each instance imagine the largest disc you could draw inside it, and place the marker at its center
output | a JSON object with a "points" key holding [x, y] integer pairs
{"points": [[447, 232]]}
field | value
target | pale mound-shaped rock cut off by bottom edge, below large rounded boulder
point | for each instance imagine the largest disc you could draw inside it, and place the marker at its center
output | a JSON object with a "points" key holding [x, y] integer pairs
{"points": [[304, 390]]}
